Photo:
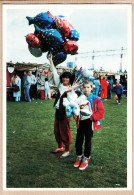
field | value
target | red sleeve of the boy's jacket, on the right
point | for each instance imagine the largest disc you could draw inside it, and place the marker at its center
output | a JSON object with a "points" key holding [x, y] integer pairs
{"points": [[98, 115]]}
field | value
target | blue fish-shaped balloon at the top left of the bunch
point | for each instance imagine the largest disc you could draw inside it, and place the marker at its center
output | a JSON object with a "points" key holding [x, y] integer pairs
{"points": [[43, 20]]}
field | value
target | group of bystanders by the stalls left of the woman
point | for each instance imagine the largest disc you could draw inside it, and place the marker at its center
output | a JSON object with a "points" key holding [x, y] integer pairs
{"points": [[27, 87]]}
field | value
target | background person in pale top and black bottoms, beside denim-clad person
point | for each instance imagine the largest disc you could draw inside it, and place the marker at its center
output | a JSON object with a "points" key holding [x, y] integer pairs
{"points": [[33, 87]]}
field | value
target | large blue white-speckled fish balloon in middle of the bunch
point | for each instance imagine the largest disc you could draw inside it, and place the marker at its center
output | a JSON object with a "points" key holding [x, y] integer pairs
{"points": [[52, 37]]}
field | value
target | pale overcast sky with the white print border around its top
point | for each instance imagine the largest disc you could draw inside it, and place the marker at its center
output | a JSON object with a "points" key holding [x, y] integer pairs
{"points": [[101, 27]]}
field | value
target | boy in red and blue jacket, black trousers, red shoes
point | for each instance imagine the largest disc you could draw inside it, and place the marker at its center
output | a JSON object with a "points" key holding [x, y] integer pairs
{"points": [[87, 125]]}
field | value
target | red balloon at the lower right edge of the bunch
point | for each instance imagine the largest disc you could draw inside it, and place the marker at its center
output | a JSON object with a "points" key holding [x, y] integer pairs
{"points": [[70, 47]]}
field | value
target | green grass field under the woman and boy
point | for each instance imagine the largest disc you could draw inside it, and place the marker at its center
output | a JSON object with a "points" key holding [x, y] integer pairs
{"points": [[30, 140]]}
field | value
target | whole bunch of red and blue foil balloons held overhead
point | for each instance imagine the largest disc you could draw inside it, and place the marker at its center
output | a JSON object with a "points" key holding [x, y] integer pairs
{"points": [[52, 34]]}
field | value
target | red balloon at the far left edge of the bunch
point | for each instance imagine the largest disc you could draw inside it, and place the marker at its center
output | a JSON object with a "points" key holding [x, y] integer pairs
{"points": [[33, 41]]}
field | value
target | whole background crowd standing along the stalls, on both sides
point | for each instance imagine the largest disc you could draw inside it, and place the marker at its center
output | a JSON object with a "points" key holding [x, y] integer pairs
{"points": [[26, 88]]}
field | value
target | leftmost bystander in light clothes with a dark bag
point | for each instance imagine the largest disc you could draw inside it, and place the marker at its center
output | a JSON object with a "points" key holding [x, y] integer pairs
{"points": [[16, 84]]}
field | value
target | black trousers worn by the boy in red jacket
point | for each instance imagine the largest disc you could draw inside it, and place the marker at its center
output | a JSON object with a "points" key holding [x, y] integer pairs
{"points": [[84, 132]]}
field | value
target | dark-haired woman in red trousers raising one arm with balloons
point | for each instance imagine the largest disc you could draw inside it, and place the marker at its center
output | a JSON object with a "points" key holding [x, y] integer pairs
{"points": [[62, 122]]}
